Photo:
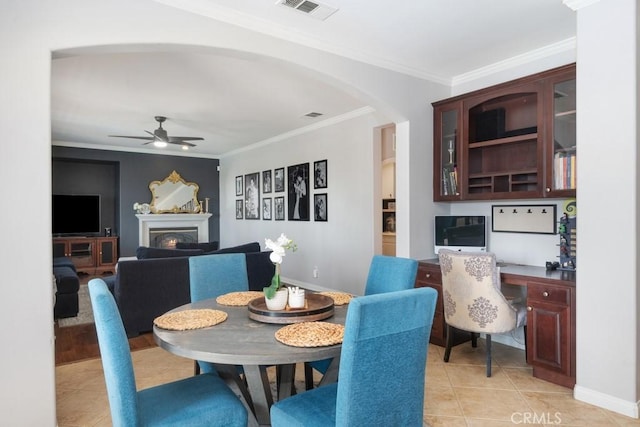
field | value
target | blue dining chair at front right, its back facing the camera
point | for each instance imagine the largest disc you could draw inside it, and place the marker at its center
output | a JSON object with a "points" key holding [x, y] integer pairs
{"points": [[382, 367]]}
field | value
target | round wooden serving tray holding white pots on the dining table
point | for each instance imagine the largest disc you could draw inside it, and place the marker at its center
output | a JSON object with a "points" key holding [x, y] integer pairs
{"points": [[318, 307]]}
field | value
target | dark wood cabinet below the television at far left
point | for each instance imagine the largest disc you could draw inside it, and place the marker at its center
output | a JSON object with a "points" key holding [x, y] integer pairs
{"points": [[90, 255]]}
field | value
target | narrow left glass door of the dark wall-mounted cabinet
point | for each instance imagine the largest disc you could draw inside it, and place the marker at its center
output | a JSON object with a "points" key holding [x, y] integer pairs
{"points": [[446, 175]]}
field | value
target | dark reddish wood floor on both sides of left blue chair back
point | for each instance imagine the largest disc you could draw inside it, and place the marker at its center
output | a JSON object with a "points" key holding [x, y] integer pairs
{"points": [[80, 342]]}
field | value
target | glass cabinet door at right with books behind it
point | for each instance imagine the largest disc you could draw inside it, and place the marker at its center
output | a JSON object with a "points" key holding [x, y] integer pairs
{"points": [[561, 176]]}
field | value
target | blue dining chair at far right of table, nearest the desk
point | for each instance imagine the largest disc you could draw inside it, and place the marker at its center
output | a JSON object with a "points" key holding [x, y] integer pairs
{"points": [[386, 274]]}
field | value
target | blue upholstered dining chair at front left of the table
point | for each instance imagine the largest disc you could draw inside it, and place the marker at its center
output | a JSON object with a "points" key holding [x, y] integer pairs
{"points": [[202, 400]]}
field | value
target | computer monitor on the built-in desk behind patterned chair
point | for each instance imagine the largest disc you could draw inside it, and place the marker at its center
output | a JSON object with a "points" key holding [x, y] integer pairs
{"points": [[460, 233]]}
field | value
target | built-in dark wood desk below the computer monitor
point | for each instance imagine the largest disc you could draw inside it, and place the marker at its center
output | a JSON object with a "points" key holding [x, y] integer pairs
{"points": [[551, 318]]}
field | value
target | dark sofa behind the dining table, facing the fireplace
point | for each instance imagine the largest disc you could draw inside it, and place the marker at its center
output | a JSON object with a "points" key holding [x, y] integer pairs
{"points": [[146, 288]]}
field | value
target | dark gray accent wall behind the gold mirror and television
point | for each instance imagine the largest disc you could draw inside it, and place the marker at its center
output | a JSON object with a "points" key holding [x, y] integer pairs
{"points": [[122, 179]]}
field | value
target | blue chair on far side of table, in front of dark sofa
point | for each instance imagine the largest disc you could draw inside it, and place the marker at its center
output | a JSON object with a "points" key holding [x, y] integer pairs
{"points": [[213, 275]]}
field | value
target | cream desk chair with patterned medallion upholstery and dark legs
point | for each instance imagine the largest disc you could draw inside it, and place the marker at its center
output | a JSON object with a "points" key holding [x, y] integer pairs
{"points": [[472, 298]]}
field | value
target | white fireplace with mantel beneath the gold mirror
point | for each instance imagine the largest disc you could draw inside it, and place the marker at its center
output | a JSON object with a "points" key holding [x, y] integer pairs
{"points": [[165, 230]]}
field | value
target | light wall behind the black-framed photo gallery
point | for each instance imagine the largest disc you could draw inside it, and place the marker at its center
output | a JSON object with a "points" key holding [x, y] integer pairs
{"points": [[342, 247]]}
